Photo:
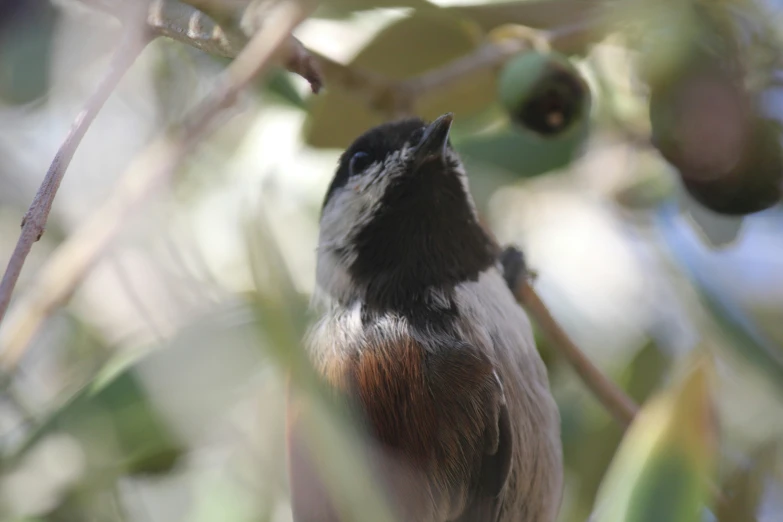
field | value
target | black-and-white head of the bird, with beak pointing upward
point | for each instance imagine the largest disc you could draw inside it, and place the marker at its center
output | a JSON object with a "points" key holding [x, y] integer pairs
{"points": [[398, 219]]}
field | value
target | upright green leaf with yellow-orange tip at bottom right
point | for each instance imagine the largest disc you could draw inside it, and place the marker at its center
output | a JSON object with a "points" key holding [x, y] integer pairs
{"points": [[663, 468]]}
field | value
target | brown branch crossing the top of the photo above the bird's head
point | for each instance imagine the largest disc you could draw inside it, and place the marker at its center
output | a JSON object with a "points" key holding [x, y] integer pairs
{"points": [[214, 28]]}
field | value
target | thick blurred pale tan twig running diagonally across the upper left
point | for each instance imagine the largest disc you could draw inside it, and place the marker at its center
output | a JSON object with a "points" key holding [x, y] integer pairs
{"points": [[71, 261]]}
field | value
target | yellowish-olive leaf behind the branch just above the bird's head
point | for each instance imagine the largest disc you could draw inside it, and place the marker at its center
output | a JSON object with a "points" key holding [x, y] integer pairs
{"points": [[407, 48]]}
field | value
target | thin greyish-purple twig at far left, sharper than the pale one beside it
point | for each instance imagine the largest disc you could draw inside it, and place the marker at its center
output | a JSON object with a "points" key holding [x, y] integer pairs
{"points": [[34, 222]]}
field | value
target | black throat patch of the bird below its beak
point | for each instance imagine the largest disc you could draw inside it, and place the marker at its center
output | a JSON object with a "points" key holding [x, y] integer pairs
{"points": [[423, 237]]}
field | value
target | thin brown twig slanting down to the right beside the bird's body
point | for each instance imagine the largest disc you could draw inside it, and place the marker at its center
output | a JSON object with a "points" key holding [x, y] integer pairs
{"points": [[609, 394]]}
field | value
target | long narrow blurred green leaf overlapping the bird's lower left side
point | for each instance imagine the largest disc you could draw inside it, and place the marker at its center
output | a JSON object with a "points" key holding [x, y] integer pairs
{"points": [[327, 427]]}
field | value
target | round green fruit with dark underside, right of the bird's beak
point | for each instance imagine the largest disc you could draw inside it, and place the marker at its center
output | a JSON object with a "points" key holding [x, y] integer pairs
{"points": [[544, 93]]}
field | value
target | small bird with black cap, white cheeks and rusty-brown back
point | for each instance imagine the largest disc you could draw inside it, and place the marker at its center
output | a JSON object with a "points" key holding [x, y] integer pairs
{"points": [[419, 331]]}
